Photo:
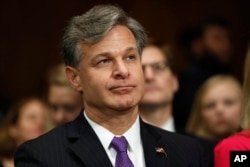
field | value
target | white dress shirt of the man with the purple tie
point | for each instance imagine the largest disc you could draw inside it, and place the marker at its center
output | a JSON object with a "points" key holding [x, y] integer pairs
{"points": [[133, 137]]}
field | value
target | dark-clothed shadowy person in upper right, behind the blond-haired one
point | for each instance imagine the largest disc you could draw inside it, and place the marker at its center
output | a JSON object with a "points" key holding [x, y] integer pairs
{"points": [[208, 46]]}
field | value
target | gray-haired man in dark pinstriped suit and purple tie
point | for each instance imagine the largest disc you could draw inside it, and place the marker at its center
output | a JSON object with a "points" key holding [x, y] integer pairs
{"points": [[101, 50]]}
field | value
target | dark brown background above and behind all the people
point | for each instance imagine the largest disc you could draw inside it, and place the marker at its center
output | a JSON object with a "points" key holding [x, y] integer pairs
{"points": [[31, 32]]}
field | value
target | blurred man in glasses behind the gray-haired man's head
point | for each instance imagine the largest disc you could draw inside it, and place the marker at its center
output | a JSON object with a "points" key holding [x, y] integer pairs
{"points": [[160, 85]]}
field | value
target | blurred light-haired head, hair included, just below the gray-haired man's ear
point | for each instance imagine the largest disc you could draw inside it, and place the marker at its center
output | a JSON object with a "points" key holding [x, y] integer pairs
{"points": [[65, 101]]}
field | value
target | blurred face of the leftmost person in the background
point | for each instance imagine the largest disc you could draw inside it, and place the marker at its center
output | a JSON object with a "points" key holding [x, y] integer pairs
{"points": [[31, 122]]}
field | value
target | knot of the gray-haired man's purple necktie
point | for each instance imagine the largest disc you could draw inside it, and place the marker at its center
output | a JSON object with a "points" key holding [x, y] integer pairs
{"points": [[119, 144]]}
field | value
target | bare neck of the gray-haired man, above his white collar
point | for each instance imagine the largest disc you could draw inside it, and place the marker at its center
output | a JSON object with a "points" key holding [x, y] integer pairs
{"points": [[117, 122]]}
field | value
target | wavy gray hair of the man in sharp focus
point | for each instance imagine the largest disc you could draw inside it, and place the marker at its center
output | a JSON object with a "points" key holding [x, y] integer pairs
{"points": [[92, 26]]}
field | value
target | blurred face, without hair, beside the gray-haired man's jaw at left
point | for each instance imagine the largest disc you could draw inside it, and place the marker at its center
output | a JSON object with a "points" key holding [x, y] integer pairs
{"points": [[66, 103]]}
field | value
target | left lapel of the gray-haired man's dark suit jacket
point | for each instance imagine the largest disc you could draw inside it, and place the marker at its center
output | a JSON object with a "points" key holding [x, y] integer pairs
{"points": [[86, 145]]}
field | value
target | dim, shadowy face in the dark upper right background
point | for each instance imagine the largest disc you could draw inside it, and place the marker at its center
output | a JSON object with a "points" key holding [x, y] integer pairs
{"points": [[217, 41]]}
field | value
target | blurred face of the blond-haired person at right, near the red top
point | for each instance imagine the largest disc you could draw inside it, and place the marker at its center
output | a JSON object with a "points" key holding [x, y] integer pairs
{"points": [[221, 108]]}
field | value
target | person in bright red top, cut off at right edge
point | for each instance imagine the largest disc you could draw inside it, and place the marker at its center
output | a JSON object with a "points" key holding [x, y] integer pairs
{"points": [[239, 141]]}
